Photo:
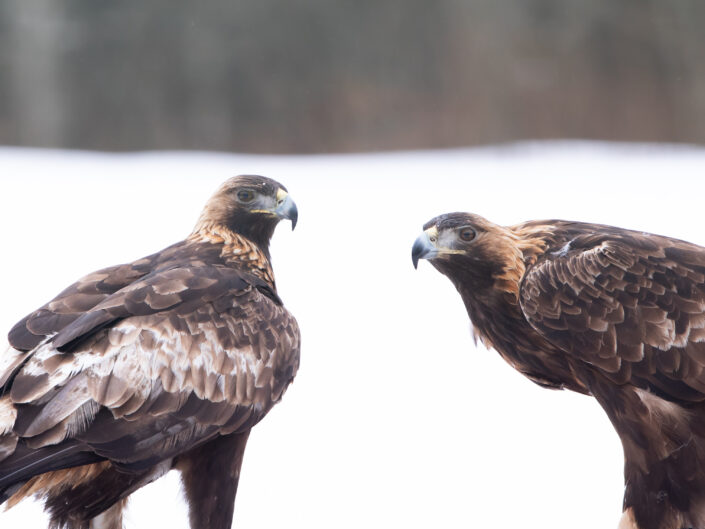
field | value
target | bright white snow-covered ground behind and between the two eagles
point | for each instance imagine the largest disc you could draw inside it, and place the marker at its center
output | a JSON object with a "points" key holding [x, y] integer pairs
{"points": [[396, 418]]}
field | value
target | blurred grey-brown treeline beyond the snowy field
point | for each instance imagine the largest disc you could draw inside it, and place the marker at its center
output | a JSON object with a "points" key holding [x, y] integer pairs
{"points": [[348, 75]]}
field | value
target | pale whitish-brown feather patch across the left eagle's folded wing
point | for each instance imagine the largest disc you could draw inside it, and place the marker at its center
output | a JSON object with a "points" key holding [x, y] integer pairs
{"points": [[218, 357]]}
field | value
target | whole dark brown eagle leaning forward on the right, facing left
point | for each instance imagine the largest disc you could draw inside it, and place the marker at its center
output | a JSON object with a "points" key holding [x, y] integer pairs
{"points": [[613, 313]]}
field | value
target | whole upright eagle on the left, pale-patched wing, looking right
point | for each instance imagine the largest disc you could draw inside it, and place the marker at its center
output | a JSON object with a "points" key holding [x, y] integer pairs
{"points": [[166, 362]]}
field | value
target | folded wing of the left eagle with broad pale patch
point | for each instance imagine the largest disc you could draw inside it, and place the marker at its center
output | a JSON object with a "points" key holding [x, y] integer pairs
{"points": [[158, 366]]}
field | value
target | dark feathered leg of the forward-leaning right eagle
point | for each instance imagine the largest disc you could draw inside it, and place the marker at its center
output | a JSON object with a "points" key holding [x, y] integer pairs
{"points": [[664, 453]]}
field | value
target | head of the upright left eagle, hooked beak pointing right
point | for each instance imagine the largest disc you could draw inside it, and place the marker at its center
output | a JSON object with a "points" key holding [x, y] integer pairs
{"points": [[250, 205]]}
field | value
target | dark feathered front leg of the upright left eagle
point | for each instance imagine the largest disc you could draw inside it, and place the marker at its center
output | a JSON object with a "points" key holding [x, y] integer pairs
{"points": [[210, 474]]}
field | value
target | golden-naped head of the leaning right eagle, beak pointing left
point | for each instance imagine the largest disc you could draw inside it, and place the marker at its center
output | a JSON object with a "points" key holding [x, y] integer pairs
{"points": [[472, 251]]}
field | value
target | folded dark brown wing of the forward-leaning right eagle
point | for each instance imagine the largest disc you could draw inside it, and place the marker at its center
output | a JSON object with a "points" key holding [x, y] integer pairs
{"points": [[630, 304]]}
